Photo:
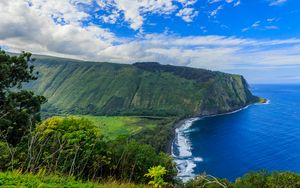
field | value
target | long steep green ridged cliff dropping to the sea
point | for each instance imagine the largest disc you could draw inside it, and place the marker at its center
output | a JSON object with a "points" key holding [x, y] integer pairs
{"points": [[78, 87]]}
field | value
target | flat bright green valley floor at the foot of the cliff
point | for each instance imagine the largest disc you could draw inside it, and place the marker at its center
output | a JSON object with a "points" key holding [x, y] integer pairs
{"points": [[154, 131]]}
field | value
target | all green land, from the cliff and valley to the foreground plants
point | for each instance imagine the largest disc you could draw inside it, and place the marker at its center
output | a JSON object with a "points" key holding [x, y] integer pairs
{"points": [[78, 150]]}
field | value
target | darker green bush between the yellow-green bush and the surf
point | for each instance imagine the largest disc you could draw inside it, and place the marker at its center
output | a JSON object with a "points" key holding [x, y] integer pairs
{"points": [[132, 160]]}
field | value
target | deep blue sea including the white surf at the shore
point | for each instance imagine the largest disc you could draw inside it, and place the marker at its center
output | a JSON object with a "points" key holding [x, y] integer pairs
{"points": [[262, 136]]}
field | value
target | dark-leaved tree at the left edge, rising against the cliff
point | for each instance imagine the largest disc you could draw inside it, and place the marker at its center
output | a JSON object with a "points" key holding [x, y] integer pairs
{"points": [[19, 109]]}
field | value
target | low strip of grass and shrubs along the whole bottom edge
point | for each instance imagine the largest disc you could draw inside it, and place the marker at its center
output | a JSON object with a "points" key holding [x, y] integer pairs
{"points": [[252, 180]]}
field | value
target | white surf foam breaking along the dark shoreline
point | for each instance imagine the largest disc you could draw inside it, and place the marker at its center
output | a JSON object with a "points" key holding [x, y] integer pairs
{"points": [[185, 161]]}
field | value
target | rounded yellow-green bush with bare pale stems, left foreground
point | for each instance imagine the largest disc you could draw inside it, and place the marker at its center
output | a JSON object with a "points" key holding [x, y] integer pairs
{"points": [[70, 145]]}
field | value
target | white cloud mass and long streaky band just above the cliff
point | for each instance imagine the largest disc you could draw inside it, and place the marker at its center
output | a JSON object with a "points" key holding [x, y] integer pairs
{"points": [[32, 28]]}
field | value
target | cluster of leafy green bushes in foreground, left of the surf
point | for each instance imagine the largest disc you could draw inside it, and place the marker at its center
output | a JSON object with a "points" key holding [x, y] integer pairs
{"points": [[74, 146]]}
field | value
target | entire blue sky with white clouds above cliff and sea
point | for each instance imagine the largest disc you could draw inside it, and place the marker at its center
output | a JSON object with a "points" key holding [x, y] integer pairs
{"points": [[259, 39]]}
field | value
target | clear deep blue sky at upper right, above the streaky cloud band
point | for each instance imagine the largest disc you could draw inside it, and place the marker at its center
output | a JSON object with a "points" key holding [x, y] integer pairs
{"points": [[232, 19]]}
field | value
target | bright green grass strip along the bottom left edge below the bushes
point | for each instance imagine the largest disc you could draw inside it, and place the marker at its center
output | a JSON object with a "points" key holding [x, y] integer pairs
{"points": [[17, 179]]}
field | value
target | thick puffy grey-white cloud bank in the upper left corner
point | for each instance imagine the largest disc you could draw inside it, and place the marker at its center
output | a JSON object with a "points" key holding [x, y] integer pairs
{"points": [[32, 28]]}
